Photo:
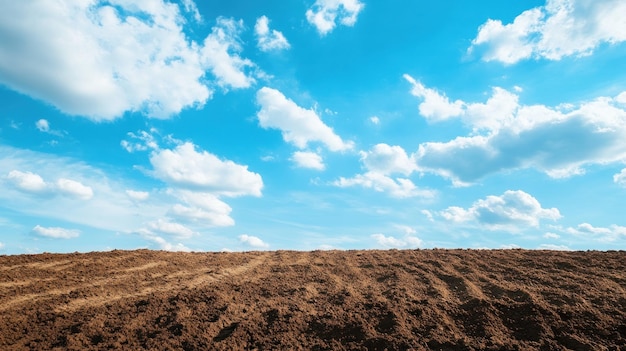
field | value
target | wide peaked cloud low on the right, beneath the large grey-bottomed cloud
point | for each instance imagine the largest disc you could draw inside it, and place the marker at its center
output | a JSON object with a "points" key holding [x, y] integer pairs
{"points": [[512, 211]]}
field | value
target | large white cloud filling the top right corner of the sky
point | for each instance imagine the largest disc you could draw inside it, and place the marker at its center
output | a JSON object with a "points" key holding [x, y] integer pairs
{"points": [[558, 29]]}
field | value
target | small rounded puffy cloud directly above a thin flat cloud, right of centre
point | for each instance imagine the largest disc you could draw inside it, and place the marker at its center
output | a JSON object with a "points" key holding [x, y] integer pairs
{"points": [[386, 159]]}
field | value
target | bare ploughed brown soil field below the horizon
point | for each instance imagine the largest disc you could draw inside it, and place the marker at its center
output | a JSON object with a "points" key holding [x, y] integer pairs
{"points": [[321, 300]]}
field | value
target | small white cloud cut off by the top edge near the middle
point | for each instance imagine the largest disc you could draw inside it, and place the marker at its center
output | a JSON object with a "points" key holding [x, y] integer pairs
{"points": [[324, 14]]}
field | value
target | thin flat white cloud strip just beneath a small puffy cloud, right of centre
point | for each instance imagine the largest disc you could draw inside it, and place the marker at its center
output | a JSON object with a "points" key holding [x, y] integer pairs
{"points": [[395, 187]]}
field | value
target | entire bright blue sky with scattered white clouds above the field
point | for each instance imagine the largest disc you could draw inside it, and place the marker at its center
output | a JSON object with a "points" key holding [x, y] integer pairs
{"points": [[312, 124]]}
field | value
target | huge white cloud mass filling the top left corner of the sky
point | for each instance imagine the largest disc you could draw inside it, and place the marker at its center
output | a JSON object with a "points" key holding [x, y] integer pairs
{"points": [[112, 57]]}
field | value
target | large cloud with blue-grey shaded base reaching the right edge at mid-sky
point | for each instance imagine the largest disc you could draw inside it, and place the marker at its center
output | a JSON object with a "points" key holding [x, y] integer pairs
{"points": [[506, 136]]}
